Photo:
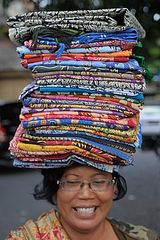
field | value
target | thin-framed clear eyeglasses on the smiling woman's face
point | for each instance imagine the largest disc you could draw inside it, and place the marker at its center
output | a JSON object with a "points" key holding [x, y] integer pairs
{"points": [[96, 185]]}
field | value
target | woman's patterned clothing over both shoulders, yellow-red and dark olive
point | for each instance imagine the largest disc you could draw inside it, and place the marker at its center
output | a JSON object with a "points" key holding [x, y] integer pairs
{"points": [[48, 227]]}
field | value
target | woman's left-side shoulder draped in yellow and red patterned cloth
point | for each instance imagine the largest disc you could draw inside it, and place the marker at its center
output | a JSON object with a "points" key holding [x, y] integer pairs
{"points": [[31, 229]]}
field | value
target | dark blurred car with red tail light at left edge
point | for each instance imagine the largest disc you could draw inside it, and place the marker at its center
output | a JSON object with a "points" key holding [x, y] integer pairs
{"points": [[9, 121]]}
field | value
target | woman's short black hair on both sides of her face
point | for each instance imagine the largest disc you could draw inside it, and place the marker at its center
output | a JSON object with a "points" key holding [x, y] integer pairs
{"points": [[49, 187]]}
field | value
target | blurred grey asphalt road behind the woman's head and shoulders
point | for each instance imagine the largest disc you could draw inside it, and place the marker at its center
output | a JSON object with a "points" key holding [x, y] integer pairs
{"points": [[141, 205]]}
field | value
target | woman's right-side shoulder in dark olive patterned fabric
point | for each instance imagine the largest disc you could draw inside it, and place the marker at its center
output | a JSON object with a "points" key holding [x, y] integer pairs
{"points": [[137, 232]]}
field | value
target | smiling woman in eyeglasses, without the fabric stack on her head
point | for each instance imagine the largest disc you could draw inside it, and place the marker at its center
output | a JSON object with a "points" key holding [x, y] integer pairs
{"points": [[82, 197]]}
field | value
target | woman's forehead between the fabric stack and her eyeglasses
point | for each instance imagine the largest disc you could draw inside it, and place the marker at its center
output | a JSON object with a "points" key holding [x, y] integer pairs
{"points": [[84, 171]]}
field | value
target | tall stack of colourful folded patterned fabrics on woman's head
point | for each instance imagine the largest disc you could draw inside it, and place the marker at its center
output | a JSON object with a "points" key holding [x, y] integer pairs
{"points": [[84, 102]]}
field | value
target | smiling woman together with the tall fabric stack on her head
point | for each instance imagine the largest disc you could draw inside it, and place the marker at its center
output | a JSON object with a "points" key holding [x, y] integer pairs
{"points": [[80, 119]]}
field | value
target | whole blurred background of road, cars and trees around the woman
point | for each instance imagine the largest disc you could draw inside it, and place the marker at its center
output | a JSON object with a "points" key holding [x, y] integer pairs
{"points": [[142, 203]]}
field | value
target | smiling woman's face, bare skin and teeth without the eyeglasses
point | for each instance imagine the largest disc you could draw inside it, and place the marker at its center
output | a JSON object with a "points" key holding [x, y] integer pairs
{"points": [[84, 210]]}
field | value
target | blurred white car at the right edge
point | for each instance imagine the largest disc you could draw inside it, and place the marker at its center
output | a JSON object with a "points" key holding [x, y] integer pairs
{"points": [[150, 123]]}
